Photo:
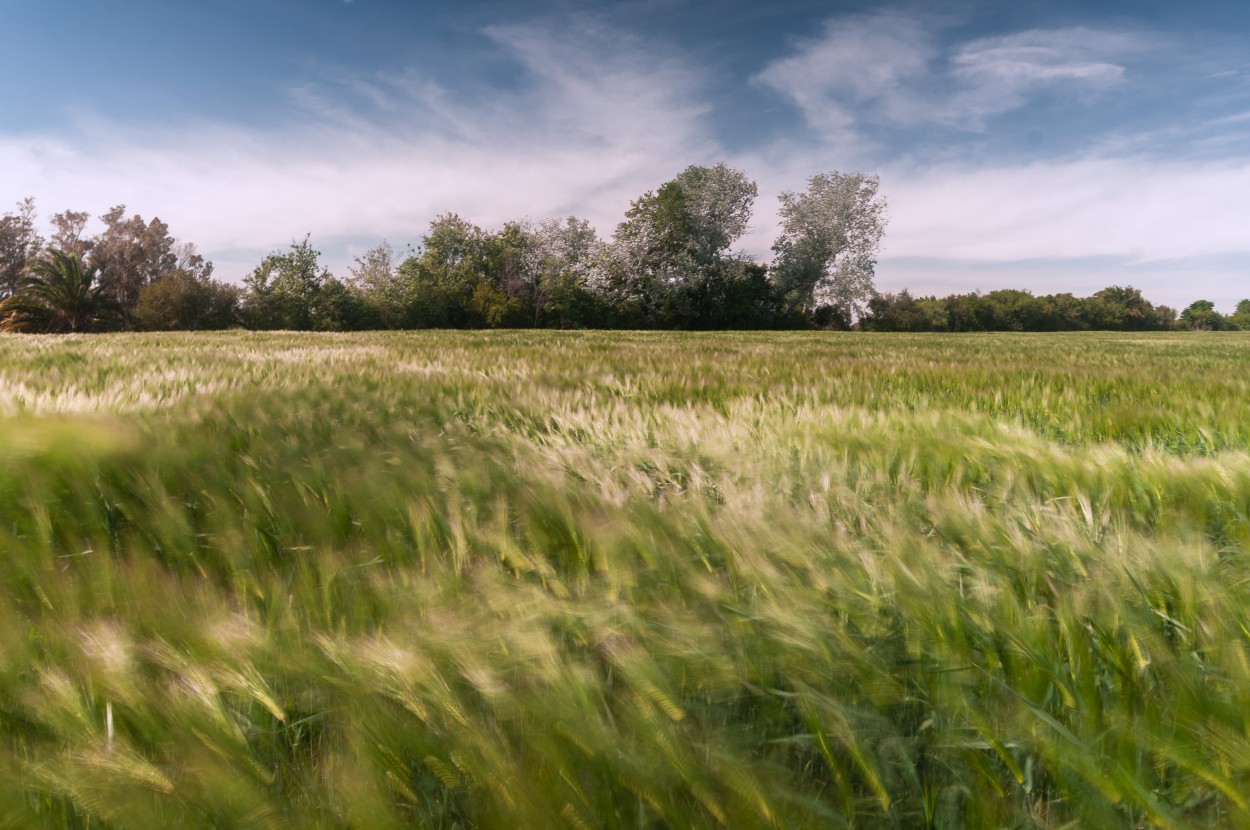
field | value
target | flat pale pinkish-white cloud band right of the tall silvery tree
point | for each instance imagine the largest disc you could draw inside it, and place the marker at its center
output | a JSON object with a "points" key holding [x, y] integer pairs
{"points": [[1138, 208]]}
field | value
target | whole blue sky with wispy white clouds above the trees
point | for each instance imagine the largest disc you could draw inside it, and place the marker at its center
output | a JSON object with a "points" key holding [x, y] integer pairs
{"points": [[1044, 146]]}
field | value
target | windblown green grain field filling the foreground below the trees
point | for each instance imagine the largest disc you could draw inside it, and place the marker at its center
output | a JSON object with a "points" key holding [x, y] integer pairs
{"points": [[626, 581]]}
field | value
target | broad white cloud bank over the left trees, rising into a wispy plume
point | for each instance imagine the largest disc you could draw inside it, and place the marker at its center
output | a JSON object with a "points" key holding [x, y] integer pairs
{"points": [[594, 121]]}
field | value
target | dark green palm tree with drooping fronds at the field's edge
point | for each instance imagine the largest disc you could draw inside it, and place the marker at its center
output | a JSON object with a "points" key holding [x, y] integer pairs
{"points": [[59, 294]]}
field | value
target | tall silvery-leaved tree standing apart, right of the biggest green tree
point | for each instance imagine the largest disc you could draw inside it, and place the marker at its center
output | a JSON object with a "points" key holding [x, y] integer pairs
{"points": [[831, 236]]}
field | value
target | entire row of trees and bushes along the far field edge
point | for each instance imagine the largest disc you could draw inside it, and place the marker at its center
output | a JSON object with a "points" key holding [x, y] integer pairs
{"points": [[669, 266]]}
